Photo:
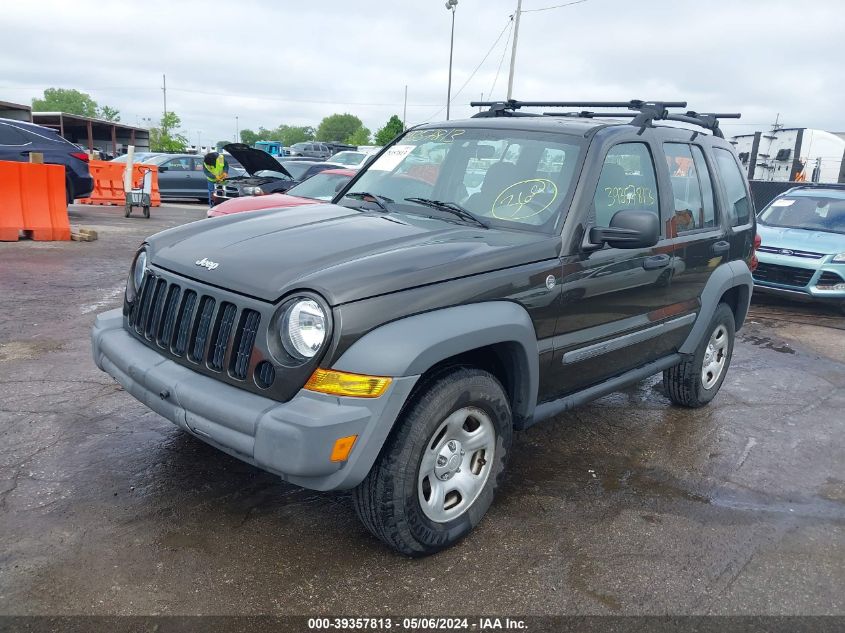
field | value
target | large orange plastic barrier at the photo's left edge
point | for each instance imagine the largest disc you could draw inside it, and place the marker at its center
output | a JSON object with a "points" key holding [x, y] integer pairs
{"points": [[33, 199]]}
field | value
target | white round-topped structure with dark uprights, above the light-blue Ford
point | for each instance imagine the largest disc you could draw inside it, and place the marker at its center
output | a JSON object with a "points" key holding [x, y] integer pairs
{"points": [[789, 154]]}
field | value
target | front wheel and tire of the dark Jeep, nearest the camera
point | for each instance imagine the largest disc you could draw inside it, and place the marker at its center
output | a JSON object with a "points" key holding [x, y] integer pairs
{"points": [[425, 453]]}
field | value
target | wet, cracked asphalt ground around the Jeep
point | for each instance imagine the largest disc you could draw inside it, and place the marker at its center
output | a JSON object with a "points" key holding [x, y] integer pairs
{"points": [[626, 506]]}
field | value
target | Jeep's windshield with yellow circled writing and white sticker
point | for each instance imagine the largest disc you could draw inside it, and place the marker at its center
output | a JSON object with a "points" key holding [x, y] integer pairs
{"points": [[506, 178]]}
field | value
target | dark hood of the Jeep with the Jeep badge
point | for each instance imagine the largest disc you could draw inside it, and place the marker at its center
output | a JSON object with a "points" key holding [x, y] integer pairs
{"points": [[343, 254]]}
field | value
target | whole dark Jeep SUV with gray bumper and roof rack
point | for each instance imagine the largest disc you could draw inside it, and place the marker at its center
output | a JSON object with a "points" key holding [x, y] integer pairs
{"points": [[477, 277]]}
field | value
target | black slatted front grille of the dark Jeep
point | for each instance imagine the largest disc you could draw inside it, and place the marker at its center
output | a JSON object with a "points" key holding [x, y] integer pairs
{"points": [[191, 325]]}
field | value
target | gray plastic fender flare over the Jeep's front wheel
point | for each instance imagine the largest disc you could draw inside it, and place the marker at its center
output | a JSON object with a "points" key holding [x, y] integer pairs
{"points": [[412, 345]]}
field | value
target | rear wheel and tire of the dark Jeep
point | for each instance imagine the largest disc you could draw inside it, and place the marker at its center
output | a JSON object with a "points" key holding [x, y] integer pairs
{"points": [[696, 382]]}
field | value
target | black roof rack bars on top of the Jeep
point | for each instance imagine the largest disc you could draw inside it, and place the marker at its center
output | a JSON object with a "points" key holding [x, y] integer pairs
{"points": [[644, 113]]}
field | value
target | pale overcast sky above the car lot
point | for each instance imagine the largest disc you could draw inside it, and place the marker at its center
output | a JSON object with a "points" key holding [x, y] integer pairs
{"points": [[272, 62]]}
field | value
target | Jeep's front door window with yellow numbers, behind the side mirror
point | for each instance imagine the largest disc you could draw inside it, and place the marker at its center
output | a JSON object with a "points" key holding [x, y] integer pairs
{"points": [[627, 181]]}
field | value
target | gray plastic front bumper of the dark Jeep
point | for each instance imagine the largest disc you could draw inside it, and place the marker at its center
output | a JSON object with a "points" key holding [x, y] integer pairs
{"points": [[292, 439]]}
